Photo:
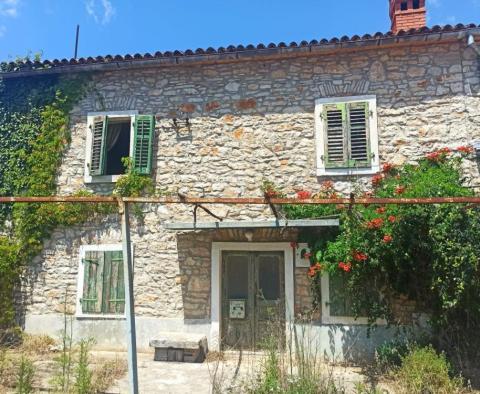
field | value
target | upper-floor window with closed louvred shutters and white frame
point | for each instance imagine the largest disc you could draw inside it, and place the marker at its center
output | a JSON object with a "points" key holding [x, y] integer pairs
{"points": [[346, 135]]}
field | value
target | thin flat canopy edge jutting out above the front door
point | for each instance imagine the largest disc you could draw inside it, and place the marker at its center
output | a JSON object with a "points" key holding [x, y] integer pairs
{"points": [[252, 224]]}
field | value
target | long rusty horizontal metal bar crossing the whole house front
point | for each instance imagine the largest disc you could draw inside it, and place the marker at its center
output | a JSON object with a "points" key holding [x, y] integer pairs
{"points": [[241, 200]]}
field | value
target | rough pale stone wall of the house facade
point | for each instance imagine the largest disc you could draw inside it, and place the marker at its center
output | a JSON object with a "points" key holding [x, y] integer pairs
{"points": [[249, 121]]}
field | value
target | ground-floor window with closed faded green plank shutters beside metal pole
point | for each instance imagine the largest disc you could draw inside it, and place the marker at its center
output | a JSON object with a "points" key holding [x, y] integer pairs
{"points": [[101, 281]]}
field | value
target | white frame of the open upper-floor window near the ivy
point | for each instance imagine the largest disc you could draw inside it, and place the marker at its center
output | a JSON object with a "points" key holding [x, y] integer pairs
{"points": [[88, 145]]}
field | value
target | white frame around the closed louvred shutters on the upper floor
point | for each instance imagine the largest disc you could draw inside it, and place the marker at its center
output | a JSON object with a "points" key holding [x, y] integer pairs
{"points": [[320, 136]]}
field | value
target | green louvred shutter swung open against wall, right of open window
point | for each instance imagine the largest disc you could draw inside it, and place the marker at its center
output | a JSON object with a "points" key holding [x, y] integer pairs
{"points": [[143, 143]]}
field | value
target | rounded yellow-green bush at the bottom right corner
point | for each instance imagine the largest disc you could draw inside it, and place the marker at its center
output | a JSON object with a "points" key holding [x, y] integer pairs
{"points": [[423, 370]]}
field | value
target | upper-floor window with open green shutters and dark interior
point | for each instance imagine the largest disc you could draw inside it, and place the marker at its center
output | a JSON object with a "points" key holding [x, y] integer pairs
{"points": [[111, 137]]}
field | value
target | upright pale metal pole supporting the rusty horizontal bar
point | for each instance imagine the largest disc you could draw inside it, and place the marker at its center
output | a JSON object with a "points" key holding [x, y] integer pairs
{"points": [[129, 298]]}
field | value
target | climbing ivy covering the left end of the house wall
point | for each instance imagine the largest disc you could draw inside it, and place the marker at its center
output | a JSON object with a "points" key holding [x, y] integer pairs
{"points": [[34, 133]]}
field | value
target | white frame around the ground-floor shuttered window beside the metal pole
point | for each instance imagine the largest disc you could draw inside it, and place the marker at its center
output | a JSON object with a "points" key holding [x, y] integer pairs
{"points": [[81, 277]]}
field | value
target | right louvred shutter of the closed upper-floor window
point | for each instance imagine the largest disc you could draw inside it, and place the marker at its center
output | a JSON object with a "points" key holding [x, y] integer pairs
{"points": [[358, 134]]}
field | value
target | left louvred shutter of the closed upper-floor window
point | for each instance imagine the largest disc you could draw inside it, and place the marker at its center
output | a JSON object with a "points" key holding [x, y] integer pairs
{"points": [[335, 129]]}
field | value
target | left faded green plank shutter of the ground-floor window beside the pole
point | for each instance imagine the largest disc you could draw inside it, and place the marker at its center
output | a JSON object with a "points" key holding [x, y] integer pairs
{"points": [[92, 282]]}
